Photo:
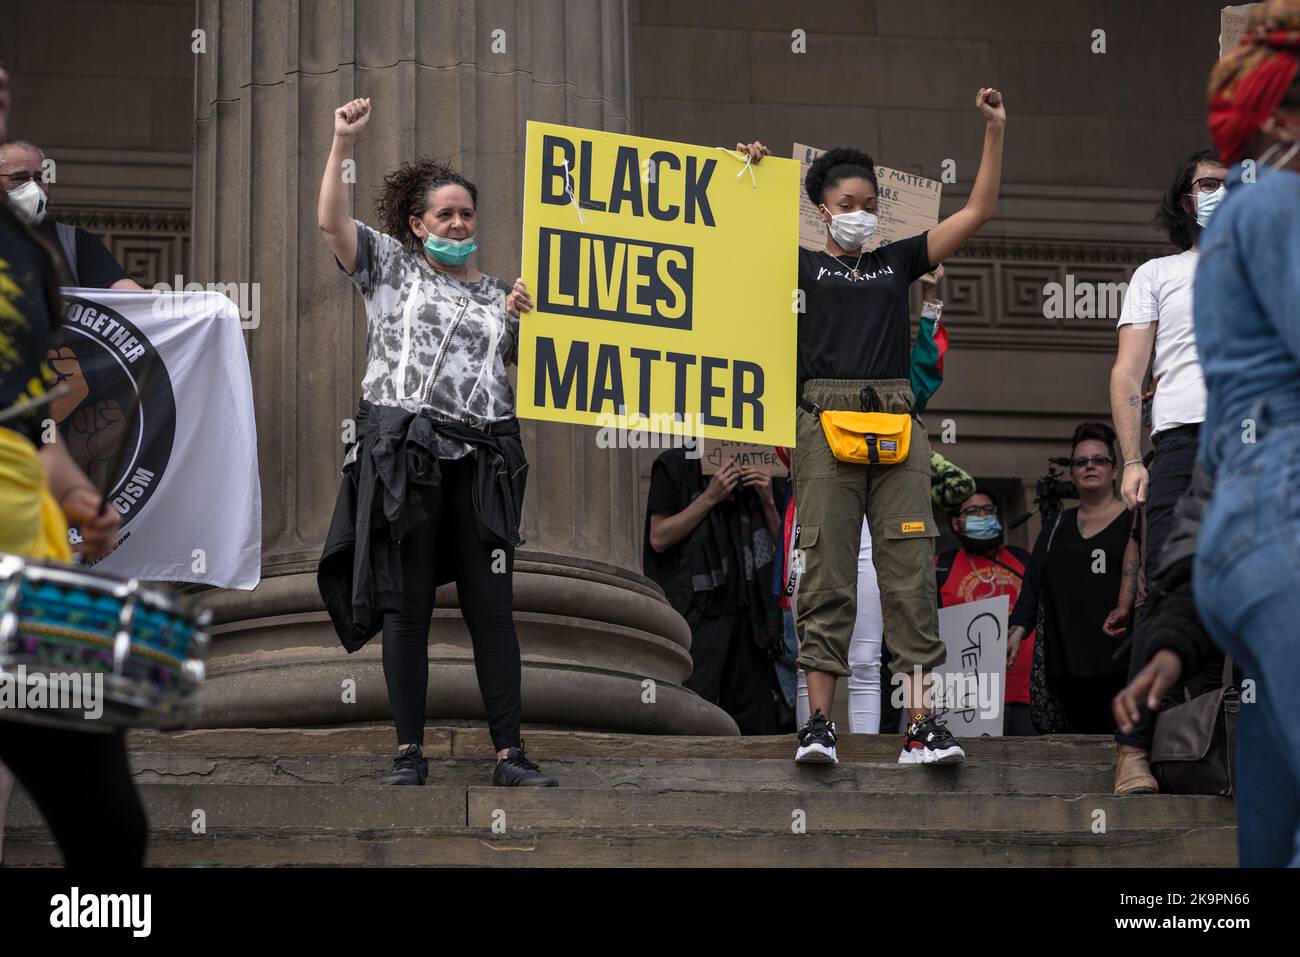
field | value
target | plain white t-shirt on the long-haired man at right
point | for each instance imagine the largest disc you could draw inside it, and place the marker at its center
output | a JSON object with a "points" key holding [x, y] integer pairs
{"points": [[1162, 292]]}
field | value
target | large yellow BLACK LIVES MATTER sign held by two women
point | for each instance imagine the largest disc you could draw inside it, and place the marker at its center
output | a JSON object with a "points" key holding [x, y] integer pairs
{"points": [[664, 287]]}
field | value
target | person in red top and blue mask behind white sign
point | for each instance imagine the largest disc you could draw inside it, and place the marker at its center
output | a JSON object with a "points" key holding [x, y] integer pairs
{"points": [[985, 568]]}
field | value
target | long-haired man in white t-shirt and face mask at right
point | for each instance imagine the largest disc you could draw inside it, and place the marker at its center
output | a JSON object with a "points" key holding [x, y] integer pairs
{"points": [[1156, 330]]}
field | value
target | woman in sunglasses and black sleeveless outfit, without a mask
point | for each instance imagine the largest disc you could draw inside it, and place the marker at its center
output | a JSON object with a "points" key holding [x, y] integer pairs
{"points": [[1085, 575]]}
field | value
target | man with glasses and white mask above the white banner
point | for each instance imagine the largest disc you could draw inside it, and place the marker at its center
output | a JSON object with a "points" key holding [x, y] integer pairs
{"points": [[88, 261]]}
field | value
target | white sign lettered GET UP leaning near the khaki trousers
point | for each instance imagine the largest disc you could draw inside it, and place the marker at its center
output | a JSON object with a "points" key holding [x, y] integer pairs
{"points": [[970, 688]]}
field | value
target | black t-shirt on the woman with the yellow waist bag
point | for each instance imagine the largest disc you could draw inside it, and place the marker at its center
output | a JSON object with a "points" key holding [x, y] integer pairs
{"points": [[859, 328]]}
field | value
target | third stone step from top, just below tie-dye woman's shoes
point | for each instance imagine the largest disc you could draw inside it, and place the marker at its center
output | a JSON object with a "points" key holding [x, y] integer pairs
{"points": [[379, 808]]}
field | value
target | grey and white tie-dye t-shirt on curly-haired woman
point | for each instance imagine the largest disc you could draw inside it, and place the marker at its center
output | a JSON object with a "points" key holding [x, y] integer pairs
{"points": [[434, 343]]}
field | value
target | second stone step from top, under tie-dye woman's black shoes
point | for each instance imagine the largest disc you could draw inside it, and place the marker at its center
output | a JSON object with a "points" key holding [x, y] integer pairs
{"points": [[679, 774]]}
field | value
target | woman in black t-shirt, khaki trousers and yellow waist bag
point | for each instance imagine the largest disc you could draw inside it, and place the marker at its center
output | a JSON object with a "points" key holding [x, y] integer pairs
{"points": [[856, 451]]}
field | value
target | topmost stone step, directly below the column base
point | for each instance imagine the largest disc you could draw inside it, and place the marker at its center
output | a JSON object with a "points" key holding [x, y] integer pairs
{"points": [[545, 746]]}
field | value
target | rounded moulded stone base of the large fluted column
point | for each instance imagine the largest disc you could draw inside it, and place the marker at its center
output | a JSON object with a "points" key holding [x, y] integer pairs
{"points": [[603, 651]]}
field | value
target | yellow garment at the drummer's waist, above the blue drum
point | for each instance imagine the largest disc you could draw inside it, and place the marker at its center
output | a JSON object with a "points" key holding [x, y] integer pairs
{"points": [[32, 523]]}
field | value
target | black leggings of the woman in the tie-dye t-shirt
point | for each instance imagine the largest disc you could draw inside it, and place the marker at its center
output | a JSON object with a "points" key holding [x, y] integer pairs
{"points": [[484, 574]]}
